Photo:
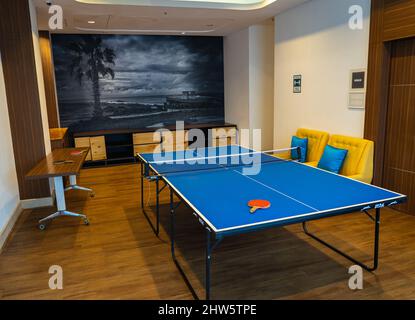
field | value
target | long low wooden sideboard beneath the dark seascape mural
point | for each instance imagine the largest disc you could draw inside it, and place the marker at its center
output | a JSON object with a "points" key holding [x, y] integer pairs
{"points": [[121, 146]]}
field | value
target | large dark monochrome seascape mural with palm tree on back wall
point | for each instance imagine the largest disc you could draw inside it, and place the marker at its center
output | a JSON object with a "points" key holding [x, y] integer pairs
{"points": [[109, 82]]}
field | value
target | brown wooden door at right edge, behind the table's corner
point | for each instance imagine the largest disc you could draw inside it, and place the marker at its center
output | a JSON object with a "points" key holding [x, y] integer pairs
{"points": [[399, 165]]}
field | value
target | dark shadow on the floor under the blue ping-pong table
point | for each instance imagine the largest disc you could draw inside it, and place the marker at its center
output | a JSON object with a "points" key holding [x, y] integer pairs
{"points": [[269, 264]]}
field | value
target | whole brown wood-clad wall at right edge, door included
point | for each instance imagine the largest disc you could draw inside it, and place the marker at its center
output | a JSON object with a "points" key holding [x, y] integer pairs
{"points": [[391, 95]]}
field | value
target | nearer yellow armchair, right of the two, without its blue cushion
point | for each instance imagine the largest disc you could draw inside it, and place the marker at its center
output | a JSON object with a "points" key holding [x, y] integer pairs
{"points": [[358, 164]]}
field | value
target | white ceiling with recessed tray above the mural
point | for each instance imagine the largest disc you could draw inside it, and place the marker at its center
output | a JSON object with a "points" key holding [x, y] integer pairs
{"points": [[190, 17]]}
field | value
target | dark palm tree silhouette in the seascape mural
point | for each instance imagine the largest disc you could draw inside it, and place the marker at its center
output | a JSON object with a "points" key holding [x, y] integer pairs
{"points": [[93, 61]]}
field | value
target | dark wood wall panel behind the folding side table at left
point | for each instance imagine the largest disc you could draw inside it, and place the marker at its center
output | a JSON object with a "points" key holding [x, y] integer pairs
{"points": [[17, 55]]}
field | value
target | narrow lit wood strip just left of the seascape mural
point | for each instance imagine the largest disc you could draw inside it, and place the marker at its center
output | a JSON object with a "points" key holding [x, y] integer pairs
{"points": [[49, 78]]}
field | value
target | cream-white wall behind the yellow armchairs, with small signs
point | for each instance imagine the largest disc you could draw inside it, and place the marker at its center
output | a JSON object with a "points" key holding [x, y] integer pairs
{"points": [[314, 40]]}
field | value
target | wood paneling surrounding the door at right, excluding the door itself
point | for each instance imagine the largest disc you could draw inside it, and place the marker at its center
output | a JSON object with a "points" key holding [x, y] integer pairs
{"points": [[390, 20]]}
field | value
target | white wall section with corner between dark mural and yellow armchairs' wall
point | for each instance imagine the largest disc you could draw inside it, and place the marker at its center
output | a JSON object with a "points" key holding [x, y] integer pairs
{"points": [[249, 75]]}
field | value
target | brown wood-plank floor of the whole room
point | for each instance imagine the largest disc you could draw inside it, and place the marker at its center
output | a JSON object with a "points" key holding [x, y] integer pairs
{"points": [[118, 256]]}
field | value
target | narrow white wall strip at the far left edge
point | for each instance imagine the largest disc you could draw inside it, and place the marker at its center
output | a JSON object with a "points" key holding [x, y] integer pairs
{"points": [[9, 190]]}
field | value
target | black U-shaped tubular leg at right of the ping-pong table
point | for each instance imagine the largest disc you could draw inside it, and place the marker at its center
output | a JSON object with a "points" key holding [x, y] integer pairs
{"points": [[376, 245]]}
